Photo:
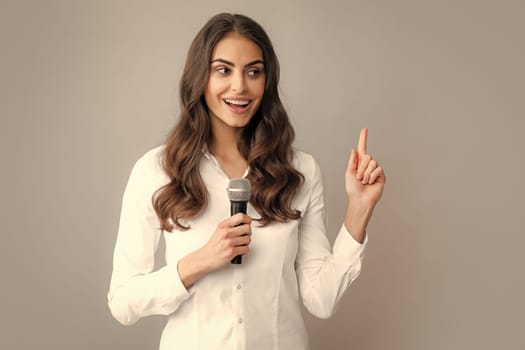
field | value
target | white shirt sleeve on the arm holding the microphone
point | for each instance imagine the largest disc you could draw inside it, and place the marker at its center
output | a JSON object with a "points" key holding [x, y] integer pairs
{"points": [[135, 289]]}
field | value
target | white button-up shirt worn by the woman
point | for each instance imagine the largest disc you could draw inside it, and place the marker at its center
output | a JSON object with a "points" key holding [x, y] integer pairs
{"points": [[255, 305]]}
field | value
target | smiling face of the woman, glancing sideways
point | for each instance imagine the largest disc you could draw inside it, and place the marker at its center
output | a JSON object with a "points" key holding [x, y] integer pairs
{"points": [[236, 85]]}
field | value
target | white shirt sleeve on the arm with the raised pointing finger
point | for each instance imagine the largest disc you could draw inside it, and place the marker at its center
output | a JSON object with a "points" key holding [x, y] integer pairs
{"points": [[324, 274]]}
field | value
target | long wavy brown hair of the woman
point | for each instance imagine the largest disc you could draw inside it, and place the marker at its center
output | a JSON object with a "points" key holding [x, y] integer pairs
{"points": [[266, 142]]}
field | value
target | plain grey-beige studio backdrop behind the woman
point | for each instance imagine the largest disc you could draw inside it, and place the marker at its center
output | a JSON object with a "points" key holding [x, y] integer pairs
{"points": [[87, 87]]}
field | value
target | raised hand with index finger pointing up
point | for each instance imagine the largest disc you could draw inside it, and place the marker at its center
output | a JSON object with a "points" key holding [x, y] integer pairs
{"points": [[364, 178]]}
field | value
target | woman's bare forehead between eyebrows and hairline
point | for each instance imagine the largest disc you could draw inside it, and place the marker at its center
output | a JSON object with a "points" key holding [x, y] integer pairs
{"points": [[236, 48]]}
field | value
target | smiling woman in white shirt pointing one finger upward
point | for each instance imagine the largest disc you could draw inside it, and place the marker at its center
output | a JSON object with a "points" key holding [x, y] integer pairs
{"points": [[232, 124]]}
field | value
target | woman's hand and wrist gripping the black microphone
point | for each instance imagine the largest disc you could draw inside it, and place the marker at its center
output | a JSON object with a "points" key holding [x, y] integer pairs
{"points": [[231, 238]]}
